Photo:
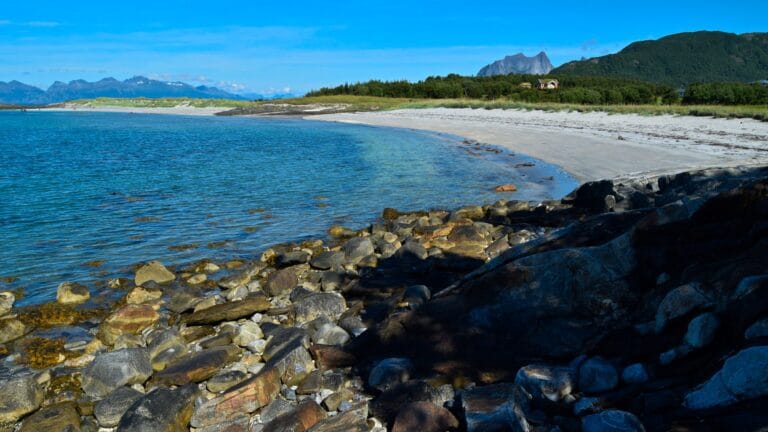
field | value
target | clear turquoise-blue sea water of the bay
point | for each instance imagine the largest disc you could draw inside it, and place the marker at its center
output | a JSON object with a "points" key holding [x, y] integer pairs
{"points": [[124, 188]]}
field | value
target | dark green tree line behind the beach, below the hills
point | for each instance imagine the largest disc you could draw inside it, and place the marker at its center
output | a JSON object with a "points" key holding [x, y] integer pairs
{"points": [[572, 89]]}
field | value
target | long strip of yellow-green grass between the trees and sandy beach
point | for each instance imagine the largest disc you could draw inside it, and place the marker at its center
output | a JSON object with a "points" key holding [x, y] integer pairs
{"points": [[345, 103]]}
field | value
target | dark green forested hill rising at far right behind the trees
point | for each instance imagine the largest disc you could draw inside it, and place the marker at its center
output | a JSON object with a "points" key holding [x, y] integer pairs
{"points": [[682, 59]]}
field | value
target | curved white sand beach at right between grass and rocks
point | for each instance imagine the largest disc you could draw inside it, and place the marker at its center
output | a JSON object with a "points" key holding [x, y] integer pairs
{"points": [[587, 145]]}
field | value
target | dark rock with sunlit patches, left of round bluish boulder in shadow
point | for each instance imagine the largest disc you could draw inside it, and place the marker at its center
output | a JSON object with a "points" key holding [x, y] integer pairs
{"points": [[546, 382]]}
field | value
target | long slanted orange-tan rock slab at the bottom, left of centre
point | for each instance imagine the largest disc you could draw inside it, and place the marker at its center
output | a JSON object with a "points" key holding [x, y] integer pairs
{"points": [[240, 400]]}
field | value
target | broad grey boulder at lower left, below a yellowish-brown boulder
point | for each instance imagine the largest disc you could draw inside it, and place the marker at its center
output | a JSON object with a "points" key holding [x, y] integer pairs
{"points": [[115, 369]]}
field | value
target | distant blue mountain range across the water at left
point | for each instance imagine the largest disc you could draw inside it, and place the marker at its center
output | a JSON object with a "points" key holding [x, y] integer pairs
{"points": [[15, 92]]}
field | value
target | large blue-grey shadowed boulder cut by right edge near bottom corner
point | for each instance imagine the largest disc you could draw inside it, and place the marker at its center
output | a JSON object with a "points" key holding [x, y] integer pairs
{"points": [[742, 377]]}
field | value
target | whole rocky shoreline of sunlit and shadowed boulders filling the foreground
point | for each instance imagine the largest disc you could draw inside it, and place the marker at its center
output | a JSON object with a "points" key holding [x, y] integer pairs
{"points": [[627, 306]]}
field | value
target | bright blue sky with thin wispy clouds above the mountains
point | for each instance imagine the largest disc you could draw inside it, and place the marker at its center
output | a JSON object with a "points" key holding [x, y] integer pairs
{"points": [[255, 46]]}
